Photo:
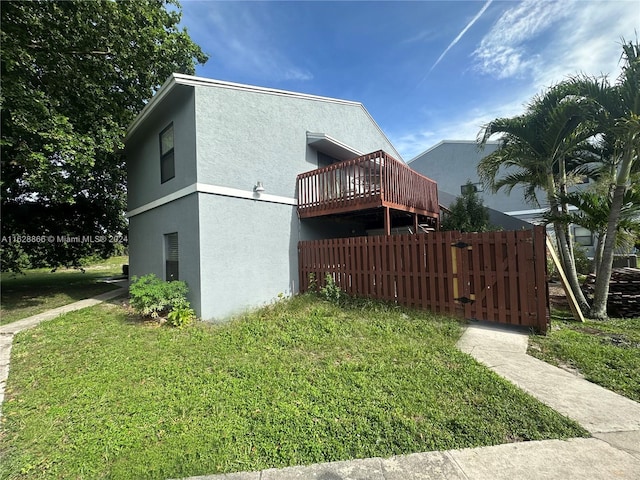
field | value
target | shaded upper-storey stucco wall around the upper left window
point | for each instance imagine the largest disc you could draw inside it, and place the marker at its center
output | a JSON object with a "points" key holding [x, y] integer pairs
{"points": [[143, 149]]}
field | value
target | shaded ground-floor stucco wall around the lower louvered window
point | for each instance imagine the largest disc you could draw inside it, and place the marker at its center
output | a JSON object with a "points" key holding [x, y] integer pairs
{"points": [[147, 242]]}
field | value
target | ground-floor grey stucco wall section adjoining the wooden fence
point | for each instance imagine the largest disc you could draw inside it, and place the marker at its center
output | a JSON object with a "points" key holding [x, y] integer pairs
{"points": [[248, 254]]}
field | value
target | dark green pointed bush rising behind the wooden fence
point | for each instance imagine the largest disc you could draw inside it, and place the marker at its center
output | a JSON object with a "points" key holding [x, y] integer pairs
{"points": [[467, 213]]}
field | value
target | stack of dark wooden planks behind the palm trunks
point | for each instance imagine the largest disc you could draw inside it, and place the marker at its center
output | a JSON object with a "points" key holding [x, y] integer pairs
{"points": [[624, 292]]}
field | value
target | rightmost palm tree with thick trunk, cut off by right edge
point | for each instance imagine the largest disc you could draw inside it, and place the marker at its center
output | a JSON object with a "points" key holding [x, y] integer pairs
{"points": [[619, 124]]}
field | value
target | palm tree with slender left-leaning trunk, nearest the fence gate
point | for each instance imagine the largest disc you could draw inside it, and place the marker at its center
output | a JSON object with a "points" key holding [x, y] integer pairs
{"points": [[537, 149]]}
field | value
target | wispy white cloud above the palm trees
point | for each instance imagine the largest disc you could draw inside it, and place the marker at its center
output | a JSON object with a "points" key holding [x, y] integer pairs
{"points": [[546, 41]]}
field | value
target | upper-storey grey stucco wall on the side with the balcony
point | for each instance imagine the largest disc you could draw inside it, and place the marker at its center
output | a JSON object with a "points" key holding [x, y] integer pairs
{"points": [[249, 136]]}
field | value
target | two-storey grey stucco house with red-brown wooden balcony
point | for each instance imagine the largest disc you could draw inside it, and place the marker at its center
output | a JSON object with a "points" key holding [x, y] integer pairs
{"points": [[213, 189]]}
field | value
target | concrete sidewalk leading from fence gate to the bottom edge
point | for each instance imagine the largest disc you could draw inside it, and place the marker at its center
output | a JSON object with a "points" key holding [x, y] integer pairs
{"points": [[613, 420]]}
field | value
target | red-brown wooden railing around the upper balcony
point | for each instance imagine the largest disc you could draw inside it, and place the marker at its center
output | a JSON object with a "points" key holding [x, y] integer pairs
{"points": [[369, 181]]}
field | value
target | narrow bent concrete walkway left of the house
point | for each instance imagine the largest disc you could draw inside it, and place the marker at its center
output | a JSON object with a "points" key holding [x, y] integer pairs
{"points": [[9, 330]]}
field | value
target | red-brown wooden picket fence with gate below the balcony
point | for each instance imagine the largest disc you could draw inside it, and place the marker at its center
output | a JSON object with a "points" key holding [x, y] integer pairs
{"points": [[494, 276]]}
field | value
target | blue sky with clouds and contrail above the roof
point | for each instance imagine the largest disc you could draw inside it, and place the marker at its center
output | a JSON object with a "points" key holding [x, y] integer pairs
{"points": [[426, 70]]}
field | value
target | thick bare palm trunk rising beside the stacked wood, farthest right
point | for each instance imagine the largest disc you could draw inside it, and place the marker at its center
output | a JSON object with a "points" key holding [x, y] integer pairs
{"points": [[601, 293]]}
